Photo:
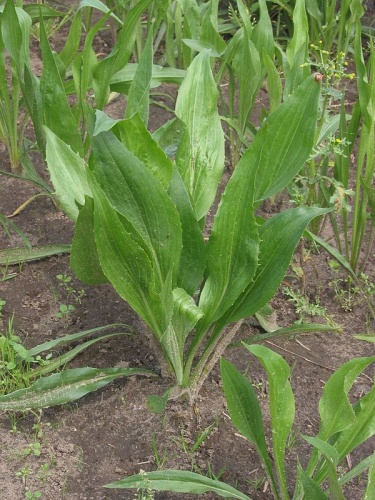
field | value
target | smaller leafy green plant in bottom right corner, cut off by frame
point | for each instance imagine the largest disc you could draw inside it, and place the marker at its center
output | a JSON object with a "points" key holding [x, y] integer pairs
{"points": [[343, 427]]}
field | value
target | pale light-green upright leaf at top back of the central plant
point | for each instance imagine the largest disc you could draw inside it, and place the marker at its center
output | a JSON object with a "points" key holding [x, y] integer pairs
{"points": [[200, 159]]}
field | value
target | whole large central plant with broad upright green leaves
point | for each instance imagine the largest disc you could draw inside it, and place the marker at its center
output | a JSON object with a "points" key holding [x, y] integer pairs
{"points": [[141, 217]]}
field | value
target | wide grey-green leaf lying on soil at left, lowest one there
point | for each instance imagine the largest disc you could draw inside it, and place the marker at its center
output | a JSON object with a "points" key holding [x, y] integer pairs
{"points": [[64, 387]]}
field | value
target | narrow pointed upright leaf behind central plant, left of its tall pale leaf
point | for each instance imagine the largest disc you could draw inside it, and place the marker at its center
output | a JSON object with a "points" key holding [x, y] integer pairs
{"points": [[139, 92]]}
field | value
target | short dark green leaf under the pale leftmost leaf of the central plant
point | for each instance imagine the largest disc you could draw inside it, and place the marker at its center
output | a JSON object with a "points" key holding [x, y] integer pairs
{"points": [[84, 258]]}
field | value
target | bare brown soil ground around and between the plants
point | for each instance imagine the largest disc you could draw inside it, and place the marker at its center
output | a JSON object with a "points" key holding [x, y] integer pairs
{"points": [[109, 434]]}
